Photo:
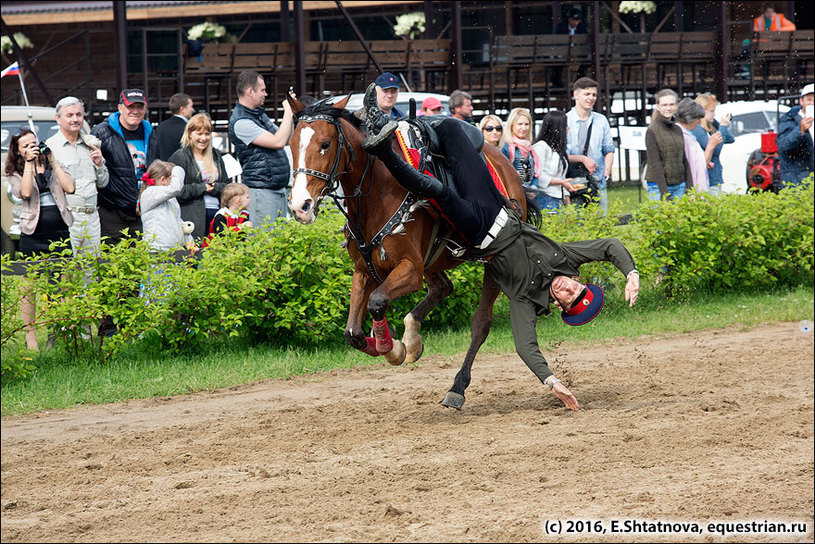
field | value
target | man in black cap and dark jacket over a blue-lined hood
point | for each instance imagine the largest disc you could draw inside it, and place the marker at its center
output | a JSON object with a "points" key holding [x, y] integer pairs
{"points": [[128, 147]]}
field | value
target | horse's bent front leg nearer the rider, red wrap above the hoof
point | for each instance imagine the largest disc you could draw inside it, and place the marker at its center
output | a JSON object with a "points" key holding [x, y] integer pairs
{"points": [[405, 278]]}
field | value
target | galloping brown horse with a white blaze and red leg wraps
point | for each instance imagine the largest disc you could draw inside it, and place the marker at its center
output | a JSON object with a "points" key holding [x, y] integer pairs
{"points": [[388, 233]]}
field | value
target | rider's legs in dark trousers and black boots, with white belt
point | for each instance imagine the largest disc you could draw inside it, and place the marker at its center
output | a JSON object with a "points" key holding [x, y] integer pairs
{"points": [[476, 208]]}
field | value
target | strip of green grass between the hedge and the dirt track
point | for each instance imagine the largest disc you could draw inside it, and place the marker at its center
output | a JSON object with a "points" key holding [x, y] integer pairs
{"points": [[143, 372]]}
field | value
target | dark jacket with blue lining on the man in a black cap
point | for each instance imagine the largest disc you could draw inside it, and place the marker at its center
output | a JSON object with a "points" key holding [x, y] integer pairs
{"points": [[122, 190]]}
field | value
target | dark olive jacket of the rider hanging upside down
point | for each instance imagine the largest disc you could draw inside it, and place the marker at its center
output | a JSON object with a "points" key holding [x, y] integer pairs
{"points": [[524, 264]]}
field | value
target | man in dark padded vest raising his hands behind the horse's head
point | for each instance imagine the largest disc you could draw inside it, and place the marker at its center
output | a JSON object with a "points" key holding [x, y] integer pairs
{"points": [[259, 146]]}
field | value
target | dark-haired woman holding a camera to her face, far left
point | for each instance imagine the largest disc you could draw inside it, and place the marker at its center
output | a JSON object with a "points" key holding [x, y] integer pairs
{"points": [[41, 183]]}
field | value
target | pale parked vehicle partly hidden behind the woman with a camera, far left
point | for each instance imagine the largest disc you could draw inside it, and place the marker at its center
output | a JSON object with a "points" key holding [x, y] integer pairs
{"points": [[13, 118]]}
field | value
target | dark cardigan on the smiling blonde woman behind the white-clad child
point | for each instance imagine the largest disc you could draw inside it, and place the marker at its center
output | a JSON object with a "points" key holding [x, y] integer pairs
{"points": [[191, 198]]}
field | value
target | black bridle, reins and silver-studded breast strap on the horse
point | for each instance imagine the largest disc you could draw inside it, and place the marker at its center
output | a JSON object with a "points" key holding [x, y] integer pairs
{"points": [[395, 225]]}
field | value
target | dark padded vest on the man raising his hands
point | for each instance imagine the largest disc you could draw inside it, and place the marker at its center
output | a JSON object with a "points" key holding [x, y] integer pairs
{"points": [[262, 168]]}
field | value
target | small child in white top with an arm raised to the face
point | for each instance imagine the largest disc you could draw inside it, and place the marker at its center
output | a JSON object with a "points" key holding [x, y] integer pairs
{"points": [[158, 207]]}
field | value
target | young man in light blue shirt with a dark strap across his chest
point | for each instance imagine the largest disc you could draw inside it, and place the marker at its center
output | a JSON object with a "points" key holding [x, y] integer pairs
{"points": [[588, 141]]}
